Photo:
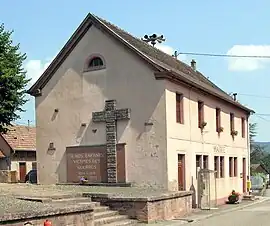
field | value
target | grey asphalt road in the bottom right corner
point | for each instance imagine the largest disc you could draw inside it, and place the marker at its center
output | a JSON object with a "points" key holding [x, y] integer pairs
{"points": [[256, 215]]}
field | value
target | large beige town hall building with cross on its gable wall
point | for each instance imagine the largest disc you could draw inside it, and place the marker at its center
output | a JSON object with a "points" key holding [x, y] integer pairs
{"points": [[170, 118]]}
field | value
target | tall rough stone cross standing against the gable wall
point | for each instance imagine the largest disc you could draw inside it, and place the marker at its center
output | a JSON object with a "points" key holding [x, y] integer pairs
{"points": [[110, 115]]}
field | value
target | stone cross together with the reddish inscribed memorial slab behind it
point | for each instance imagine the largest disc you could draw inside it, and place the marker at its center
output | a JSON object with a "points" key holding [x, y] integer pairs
{"points": [[100, 163]]}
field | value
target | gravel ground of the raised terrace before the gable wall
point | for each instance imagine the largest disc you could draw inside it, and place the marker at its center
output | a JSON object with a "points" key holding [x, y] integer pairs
{"points": [[9, 192]]}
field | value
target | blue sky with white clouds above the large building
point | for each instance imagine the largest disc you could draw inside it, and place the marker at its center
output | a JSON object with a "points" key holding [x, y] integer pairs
{"points": [[234, 27]]}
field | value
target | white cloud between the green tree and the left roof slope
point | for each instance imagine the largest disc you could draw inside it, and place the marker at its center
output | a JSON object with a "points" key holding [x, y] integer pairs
{"points": [[35, 68]]}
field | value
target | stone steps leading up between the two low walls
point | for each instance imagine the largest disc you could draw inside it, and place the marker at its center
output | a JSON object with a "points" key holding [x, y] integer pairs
{"points": [[102, 214]]}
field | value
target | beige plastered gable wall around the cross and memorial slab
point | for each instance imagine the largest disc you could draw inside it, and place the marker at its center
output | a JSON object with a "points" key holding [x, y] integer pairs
{"points": [[77, 94]]}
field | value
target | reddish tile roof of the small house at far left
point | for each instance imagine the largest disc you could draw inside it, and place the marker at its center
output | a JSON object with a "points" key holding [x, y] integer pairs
{"points": [[21, 138]]}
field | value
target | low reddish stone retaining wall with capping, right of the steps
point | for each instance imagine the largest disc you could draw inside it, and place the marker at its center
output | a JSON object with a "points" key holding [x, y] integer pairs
{"points": [[147, 207]]}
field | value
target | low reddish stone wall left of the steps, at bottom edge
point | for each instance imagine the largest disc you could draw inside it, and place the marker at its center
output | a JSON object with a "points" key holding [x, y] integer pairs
{"points": [[71, 219]]}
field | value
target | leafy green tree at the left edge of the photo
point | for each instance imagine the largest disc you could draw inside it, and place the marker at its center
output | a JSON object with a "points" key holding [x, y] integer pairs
{"points": [[13, 80]]}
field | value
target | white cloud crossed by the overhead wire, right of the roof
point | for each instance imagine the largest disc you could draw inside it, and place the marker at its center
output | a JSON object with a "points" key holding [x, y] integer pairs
{"points": [[248, 64]]}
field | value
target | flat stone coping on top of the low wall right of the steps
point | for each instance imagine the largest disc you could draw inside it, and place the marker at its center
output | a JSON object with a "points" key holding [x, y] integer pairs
{"points": [[126, 198]]}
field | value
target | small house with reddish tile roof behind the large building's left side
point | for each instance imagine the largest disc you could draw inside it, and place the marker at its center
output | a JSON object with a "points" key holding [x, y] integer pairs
{"points": [[22, 140]]}
